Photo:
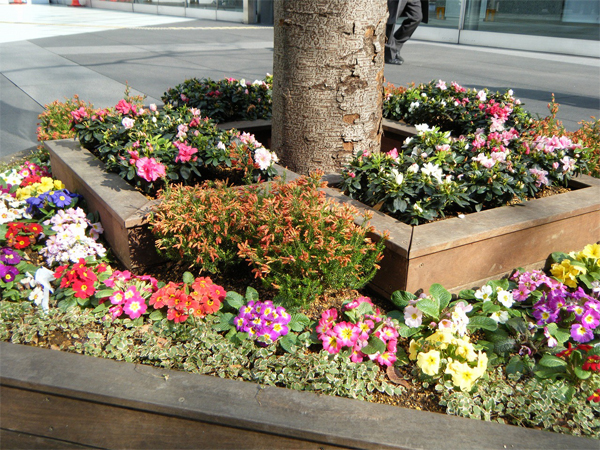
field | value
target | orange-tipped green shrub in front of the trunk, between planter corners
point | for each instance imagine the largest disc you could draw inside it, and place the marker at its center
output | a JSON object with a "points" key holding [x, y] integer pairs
{"points": [[292, 237]]}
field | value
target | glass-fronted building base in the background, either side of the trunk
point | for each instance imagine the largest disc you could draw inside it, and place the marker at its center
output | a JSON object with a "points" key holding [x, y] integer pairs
{"points": [[570, 27]]}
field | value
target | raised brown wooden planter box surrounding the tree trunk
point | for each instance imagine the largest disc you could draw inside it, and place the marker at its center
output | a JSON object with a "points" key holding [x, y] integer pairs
{"points": [[458, 253]]}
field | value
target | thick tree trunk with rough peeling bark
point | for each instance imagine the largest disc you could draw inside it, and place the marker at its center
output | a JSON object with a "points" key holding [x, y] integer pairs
{"points": [[327, 81]]}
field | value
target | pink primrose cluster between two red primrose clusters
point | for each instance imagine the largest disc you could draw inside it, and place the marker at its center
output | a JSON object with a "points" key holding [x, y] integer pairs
{"points": [[130, 293]]}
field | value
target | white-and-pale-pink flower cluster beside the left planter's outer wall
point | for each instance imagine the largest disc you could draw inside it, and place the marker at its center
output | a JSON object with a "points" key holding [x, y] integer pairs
{"points": [[71, 241]]}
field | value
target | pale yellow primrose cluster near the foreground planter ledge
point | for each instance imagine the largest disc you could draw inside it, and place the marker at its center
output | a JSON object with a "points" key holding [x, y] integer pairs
{"points": [[443, 353]]}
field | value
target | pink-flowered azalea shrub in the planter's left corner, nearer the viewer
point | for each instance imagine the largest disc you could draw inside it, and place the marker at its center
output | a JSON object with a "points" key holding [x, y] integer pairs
{"points": [[149, 147]]}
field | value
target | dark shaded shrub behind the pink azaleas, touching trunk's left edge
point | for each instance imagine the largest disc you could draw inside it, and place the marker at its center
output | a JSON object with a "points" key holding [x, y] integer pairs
{"points": [[225, 100]]}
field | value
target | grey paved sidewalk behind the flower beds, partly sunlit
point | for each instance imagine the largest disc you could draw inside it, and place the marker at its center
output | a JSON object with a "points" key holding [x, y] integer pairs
{"points": [[51, 52]]}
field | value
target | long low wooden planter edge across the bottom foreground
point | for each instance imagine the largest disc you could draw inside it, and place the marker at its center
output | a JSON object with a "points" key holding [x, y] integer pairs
{"points": [[53, 399]]}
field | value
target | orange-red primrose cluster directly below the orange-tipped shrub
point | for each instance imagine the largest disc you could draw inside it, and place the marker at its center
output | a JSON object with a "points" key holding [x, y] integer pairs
{"points": [[199, 299]]}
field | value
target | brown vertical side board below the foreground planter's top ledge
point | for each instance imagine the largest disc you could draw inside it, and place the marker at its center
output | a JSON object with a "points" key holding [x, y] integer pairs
{"points": [[98, 425]]}
